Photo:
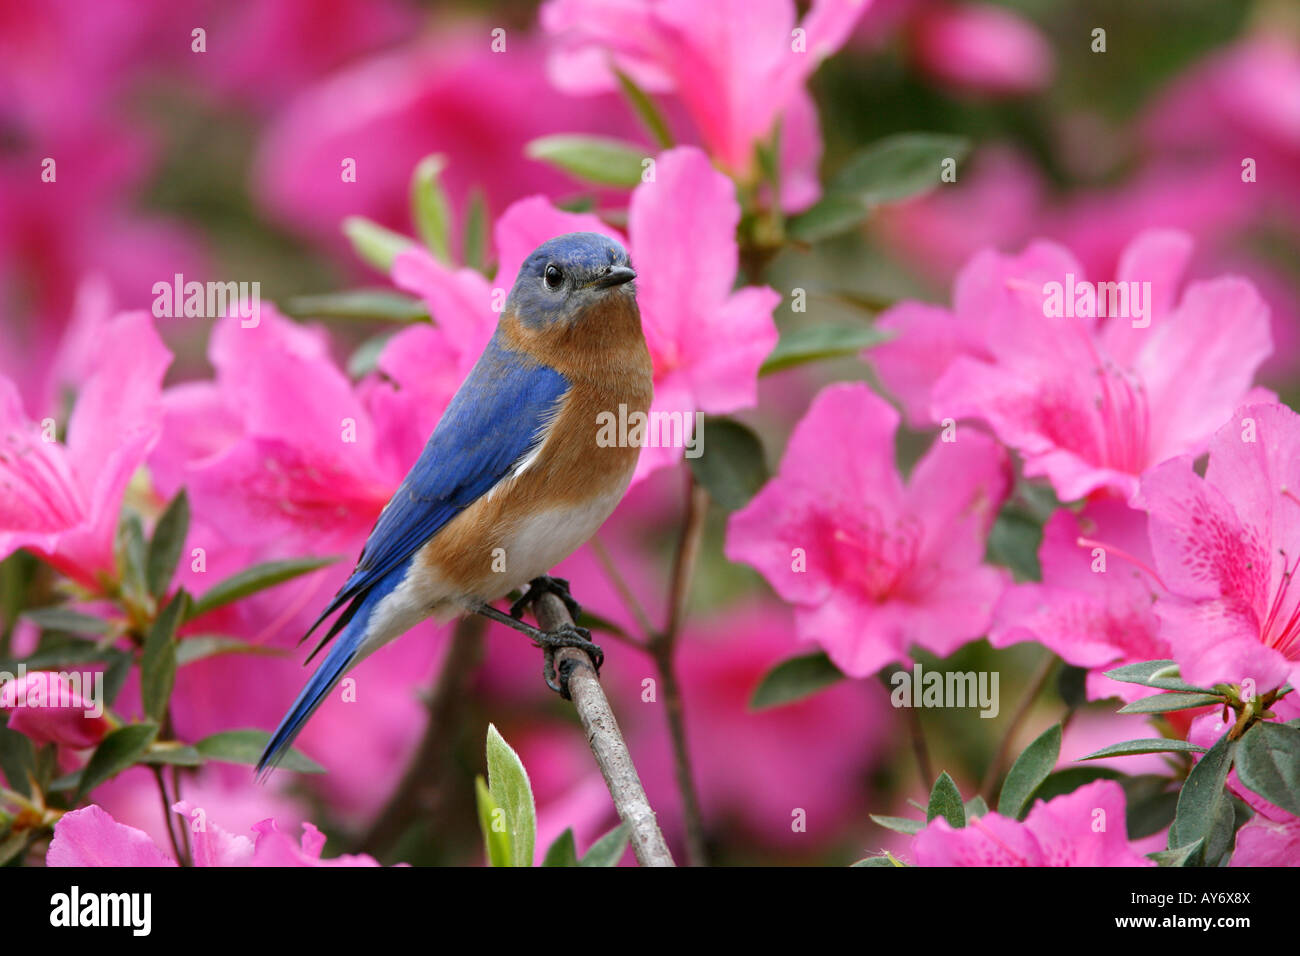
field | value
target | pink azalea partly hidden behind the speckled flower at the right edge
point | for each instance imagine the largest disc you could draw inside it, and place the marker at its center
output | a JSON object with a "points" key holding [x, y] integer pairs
{"points": [[1094, 607]]}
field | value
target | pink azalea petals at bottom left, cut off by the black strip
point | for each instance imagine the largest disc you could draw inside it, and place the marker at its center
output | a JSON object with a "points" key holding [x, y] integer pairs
{"points": [[90, 837]]}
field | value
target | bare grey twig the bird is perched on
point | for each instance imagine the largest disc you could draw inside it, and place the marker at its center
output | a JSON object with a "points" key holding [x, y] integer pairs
{"points": [[606, 741]]}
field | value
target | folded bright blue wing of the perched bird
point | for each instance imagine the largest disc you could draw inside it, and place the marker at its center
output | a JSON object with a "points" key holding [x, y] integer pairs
{"points": [[495, 421]]}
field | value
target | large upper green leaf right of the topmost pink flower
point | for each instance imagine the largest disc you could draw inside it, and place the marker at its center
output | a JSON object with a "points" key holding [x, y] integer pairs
{"points": [[899, 167]]}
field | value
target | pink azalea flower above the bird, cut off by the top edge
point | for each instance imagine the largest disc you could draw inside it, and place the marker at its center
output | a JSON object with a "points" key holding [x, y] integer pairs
{"points": [[735, 93]]}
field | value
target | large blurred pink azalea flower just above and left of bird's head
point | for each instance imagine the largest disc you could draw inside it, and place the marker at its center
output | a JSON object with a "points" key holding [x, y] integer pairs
{"points": [[447, 94]]}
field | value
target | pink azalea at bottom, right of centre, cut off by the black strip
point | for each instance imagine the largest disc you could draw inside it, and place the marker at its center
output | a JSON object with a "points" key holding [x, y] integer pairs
{"points": [[1081, 829]]}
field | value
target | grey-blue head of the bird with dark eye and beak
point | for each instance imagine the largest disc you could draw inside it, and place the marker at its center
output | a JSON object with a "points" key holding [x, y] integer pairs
{"points": [[567, 275]]}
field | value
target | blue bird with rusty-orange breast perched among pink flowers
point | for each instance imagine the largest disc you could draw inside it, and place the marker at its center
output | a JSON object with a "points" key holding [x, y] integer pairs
{"points": [[513, 479]]}
